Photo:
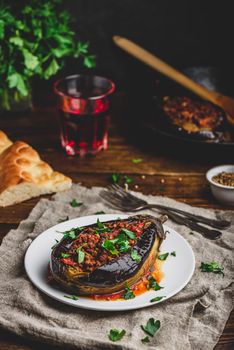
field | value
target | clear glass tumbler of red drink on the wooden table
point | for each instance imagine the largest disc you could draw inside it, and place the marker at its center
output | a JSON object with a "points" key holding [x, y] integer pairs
{"points": [[84, 113]]}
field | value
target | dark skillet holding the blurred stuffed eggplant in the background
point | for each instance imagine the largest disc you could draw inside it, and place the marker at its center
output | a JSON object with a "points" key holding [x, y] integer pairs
{"points": [[216, 79]]}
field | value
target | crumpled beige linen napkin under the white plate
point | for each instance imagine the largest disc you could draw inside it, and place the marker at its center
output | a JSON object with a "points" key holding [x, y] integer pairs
{"points": [[192, 319]]}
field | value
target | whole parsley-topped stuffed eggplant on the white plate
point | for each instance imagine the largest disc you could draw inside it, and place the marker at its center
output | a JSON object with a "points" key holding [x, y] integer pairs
{"points": [[103, 257]]}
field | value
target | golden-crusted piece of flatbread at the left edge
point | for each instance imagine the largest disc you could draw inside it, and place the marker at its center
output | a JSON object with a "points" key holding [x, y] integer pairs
{"points": [[24, 175]]}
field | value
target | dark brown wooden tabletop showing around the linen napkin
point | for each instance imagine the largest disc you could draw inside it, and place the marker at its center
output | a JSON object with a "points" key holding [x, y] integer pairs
{"points": [[158, 174]]}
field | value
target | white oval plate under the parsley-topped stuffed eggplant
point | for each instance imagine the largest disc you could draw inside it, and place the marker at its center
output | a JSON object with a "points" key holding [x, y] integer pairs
{"points": [[178, 270]]}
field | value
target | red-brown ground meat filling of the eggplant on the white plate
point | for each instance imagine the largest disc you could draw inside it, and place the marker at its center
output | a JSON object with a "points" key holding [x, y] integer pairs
{"points": [[91, 244]]}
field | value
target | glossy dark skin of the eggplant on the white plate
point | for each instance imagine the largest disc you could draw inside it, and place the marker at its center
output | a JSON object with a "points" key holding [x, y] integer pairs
{"points": [[112, 277]]}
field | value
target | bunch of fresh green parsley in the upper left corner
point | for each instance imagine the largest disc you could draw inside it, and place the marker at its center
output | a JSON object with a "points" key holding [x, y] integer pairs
{"points": [[35, 39]]}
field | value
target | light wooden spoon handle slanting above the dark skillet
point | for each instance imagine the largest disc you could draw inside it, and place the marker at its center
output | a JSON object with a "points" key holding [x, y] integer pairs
{"points": [[164, 68]]}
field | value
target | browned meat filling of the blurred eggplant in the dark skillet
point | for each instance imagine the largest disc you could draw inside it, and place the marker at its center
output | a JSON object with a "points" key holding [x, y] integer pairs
{"points": [[191, 115]]}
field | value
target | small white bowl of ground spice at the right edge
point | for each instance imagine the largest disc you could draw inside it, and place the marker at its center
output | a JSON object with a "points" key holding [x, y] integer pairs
{"points": [[221, 179]]}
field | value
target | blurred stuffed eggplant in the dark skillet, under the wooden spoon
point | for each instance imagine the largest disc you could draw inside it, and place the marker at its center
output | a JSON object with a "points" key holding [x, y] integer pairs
{"points": [[197, 119]]}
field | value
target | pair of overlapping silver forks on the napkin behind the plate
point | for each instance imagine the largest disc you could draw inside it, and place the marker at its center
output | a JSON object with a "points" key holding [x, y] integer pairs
{"points": [[125, 201]]}
